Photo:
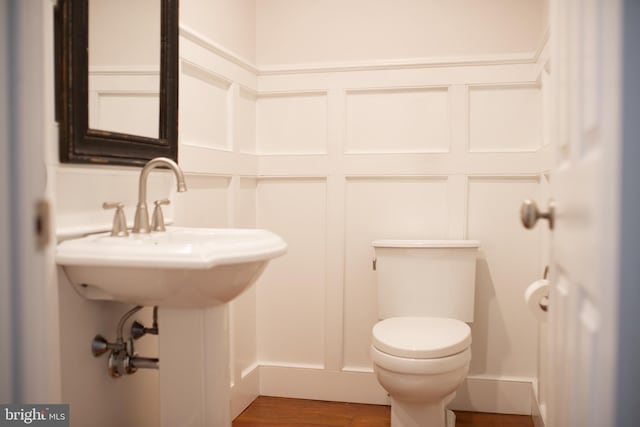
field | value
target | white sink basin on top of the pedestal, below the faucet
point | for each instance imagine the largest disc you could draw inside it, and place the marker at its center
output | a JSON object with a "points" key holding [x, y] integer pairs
{"points": [[180, 267]]}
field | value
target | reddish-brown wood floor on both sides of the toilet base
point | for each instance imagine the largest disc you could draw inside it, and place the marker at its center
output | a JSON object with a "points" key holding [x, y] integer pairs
{"points": [[283, 412]]}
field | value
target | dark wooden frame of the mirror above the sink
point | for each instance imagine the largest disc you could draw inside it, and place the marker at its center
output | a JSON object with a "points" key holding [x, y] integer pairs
{"points": [[79, 143]]}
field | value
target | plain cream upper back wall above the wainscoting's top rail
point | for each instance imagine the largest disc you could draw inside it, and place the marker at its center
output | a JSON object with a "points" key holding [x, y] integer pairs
{"points": [[327, 31]]}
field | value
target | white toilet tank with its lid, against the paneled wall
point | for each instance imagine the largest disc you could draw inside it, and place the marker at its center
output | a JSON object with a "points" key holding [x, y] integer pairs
{"points": [[434, 278]]}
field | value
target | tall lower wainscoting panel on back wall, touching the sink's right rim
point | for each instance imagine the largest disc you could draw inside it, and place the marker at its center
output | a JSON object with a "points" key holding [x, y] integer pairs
{"points": [[291, 290]]}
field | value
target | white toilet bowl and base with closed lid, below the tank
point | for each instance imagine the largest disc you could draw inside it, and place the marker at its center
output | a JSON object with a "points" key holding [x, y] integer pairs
{"points": [[421, 361]]}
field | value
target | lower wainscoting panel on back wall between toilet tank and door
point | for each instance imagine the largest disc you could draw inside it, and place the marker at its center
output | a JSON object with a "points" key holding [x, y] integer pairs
{"points": [[504, 332]]}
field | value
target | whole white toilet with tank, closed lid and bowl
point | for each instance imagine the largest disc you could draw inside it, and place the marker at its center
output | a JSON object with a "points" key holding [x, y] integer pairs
{"points": [[421, 346]]}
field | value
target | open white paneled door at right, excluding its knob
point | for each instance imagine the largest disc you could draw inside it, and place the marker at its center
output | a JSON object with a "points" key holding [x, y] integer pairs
{"points": [[585, 67]]}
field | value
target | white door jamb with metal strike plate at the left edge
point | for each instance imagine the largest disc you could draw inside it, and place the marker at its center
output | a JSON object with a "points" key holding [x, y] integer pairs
{"points": [[29, 353]]}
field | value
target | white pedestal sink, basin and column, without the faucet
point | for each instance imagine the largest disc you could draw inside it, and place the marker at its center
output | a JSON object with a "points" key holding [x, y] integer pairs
{"points": [[190, 273]]}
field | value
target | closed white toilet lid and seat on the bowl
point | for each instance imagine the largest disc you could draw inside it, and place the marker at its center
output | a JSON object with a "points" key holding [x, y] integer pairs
{"points": [[421, 337]]}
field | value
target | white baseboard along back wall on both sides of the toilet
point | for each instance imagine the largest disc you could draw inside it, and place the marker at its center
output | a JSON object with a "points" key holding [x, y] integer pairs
{"points": [[480, 394]]}
